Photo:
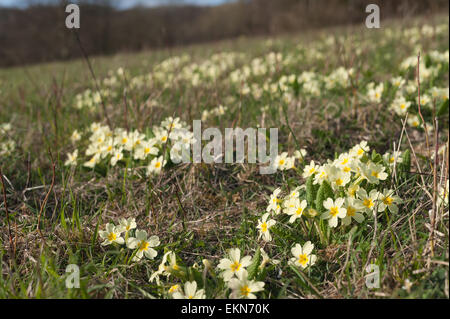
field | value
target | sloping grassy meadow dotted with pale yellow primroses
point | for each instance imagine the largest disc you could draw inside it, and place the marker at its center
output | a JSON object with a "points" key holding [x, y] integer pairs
{"points": [[361, 183]]}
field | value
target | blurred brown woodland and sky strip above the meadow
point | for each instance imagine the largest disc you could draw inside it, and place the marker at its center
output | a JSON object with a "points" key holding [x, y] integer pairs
{"points": [[33, 31]]}
